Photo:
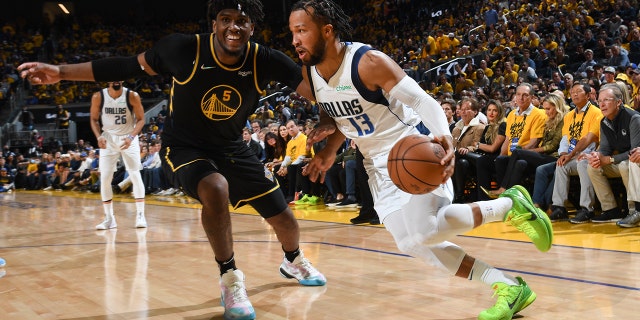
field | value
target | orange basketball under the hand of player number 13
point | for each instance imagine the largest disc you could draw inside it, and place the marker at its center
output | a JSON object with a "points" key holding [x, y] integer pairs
{"points": [[414, 164]]}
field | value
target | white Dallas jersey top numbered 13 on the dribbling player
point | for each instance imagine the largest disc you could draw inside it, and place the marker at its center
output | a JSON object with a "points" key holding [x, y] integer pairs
{"points": [[361, 114]]}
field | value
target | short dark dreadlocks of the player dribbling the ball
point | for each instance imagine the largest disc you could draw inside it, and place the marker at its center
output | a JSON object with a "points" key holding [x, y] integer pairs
{"points": [[327, 12]]}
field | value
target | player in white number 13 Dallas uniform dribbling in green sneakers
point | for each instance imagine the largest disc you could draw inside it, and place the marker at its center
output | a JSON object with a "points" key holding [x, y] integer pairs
{"points": [[372, 101]]}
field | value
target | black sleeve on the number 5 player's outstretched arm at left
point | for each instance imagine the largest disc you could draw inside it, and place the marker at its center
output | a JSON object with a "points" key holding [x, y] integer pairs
{"points": [[117, 69]]}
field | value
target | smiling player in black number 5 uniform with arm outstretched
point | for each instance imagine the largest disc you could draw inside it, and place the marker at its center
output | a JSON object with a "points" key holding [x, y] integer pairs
{"points": [[217, 80]]}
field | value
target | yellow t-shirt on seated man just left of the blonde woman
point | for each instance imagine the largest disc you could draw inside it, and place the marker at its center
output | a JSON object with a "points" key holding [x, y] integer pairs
{"points": [[521, 128]]}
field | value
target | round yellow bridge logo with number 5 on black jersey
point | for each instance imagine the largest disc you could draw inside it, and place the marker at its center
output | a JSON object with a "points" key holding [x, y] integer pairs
{"points": [[221, 103]]}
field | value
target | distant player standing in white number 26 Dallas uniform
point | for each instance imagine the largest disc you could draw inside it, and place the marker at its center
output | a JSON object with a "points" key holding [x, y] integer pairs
{"points": [[122, 115]]}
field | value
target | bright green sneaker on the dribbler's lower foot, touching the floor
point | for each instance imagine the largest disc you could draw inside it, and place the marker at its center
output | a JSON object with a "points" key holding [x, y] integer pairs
{"points": [[511, 299]]}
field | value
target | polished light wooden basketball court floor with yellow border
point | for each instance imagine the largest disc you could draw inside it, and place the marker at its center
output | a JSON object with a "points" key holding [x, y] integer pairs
{"points": [[59, 267]]}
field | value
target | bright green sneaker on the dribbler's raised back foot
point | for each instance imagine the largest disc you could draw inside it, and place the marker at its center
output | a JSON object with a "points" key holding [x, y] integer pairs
{"points": [[529, 219]]}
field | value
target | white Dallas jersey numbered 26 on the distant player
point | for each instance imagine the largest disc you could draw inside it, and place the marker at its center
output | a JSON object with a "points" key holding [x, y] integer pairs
{"points": [[116, 114]]}
